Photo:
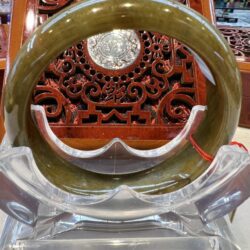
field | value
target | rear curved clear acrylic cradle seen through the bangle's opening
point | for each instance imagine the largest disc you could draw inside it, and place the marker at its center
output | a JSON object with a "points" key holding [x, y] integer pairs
{"points": [[117, 157]]}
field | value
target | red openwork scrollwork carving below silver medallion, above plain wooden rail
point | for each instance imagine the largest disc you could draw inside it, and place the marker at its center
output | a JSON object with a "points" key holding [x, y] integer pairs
{"points": [[160, 88]]}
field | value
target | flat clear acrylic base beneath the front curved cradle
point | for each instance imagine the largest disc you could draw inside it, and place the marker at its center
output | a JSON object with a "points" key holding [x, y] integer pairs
{"points": [[152, 233]]}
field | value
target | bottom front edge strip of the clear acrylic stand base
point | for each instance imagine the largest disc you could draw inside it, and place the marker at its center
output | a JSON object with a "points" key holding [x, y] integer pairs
{"points": [[180, 243]]}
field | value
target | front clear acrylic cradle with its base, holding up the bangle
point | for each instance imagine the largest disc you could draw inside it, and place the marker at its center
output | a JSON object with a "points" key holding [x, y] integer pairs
{"points": [[42, 216]]}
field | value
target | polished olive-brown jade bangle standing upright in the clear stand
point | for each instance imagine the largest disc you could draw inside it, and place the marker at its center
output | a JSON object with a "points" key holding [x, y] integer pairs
{"points": [[88, 18]]}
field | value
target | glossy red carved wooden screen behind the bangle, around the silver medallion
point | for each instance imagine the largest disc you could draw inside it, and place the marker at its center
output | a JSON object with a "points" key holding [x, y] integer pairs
{"points": [[150, 99]]}
